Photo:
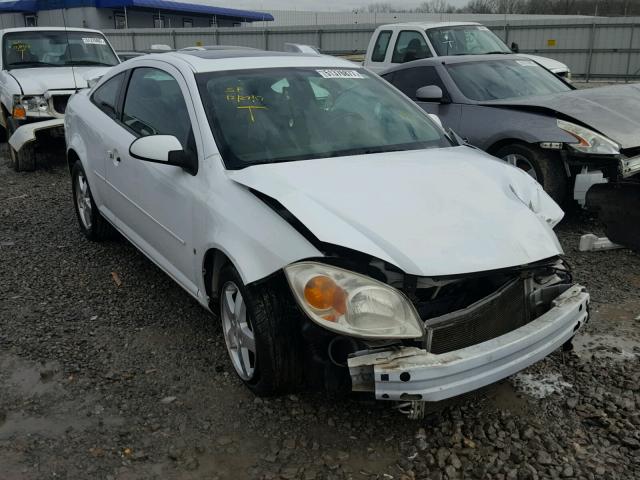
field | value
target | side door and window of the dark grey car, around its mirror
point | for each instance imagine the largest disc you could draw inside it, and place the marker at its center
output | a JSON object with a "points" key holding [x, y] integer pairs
{"points": [[409, 80]]}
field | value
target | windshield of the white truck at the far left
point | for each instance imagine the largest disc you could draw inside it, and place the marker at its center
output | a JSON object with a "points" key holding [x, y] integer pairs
{"points": [[39, 48]]}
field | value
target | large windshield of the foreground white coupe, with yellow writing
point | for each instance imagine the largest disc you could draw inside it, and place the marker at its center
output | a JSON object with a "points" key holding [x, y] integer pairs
{"points": [[283, 114]]}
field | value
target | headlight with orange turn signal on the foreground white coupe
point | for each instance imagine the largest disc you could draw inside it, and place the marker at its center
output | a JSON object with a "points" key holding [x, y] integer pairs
{"points": [[352, 304]]}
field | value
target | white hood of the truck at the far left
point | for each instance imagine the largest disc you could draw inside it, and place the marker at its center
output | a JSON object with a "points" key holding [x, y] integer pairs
{"points": [[36, 81]]}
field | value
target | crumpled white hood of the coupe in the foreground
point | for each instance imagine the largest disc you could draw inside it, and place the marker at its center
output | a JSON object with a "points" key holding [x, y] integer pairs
{"points": [[429, 212]]}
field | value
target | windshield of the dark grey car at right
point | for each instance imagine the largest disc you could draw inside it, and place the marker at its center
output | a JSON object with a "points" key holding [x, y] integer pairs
{"points": [[502, 79]]}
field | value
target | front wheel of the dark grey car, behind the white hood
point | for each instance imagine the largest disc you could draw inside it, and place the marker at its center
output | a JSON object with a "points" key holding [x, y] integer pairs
{"points": [[544, 167]]}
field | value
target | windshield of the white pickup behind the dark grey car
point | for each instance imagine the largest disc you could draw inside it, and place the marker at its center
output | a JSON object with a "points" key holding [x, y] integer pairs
{"points": [[465, 40]]}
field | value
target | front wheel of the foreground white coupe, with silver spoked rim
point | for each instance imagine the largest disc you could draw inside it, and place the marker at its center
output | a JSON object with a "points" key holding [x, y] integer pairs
{"points": [[258, 325]]}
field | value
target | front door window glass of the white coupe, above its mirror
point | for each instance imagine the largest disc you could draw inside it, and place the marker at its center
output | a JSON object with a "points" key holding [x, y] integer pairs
{"points": [[155, 106]]}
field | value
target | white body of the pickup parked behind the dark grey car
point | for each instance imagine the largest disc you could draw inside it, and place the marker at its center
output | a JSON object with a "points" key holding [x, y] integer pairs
{"points": [[420, 27]]}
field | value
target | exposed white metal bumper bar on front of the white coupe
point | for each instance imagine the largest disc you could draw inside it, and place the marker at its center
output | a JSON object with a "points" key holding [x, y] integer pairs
{"points": [[410, 373]]}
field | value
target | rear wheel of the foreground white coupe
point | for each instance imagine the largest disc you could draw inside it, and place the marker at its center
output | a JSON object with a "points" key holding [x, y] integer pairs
{"points": [[92, 223]]}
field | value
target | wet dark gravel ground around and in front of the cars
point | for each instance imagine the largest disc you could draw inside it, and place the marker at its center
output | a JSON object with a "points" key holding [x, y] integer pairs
{"points": [[108, 370]]}
